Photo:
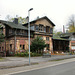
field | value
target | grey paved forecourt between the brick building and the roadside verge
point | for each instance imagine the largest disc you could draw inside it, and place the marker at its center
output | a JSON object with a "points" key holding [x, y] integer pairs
{"points": [[10, 62]]}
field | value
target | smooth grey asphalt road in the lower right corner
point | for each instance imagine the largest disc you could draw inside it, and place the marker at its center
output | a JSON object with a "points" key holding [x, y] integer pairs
{"points": [[61, 69]]}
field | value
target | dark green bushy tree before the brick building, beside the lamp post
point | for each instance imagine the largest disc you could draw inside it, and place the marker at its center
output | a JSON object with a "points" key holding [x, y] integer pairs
{"points": [[37, 44]]}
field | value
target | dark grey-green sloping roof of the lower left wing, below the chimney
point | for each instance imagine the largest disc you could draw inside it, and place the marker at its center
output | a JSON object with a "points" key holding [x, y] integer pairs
{"points": [[13, 25]]}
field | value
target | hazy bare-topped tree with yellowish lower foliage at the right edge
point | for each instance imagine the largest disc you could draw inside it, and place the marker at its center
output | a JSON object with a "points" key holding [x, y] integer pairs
{"points": [[71, 23]]}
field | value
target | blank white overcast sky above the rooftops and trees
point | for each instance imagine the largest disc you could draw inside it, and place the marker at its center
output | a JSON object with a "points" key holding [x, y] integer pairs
{"points": [[56, 10]]}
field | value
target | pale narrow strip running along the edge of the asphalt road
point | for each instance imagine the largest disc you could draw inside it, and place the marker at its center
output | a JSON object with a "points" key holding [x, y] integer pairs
{"points": [[62, 62]]}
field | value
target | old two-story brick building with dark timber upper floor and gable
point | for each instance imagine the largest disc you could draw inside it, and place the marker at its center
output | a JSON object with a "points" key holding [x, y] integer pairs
{"points": [[16, 35]]}
